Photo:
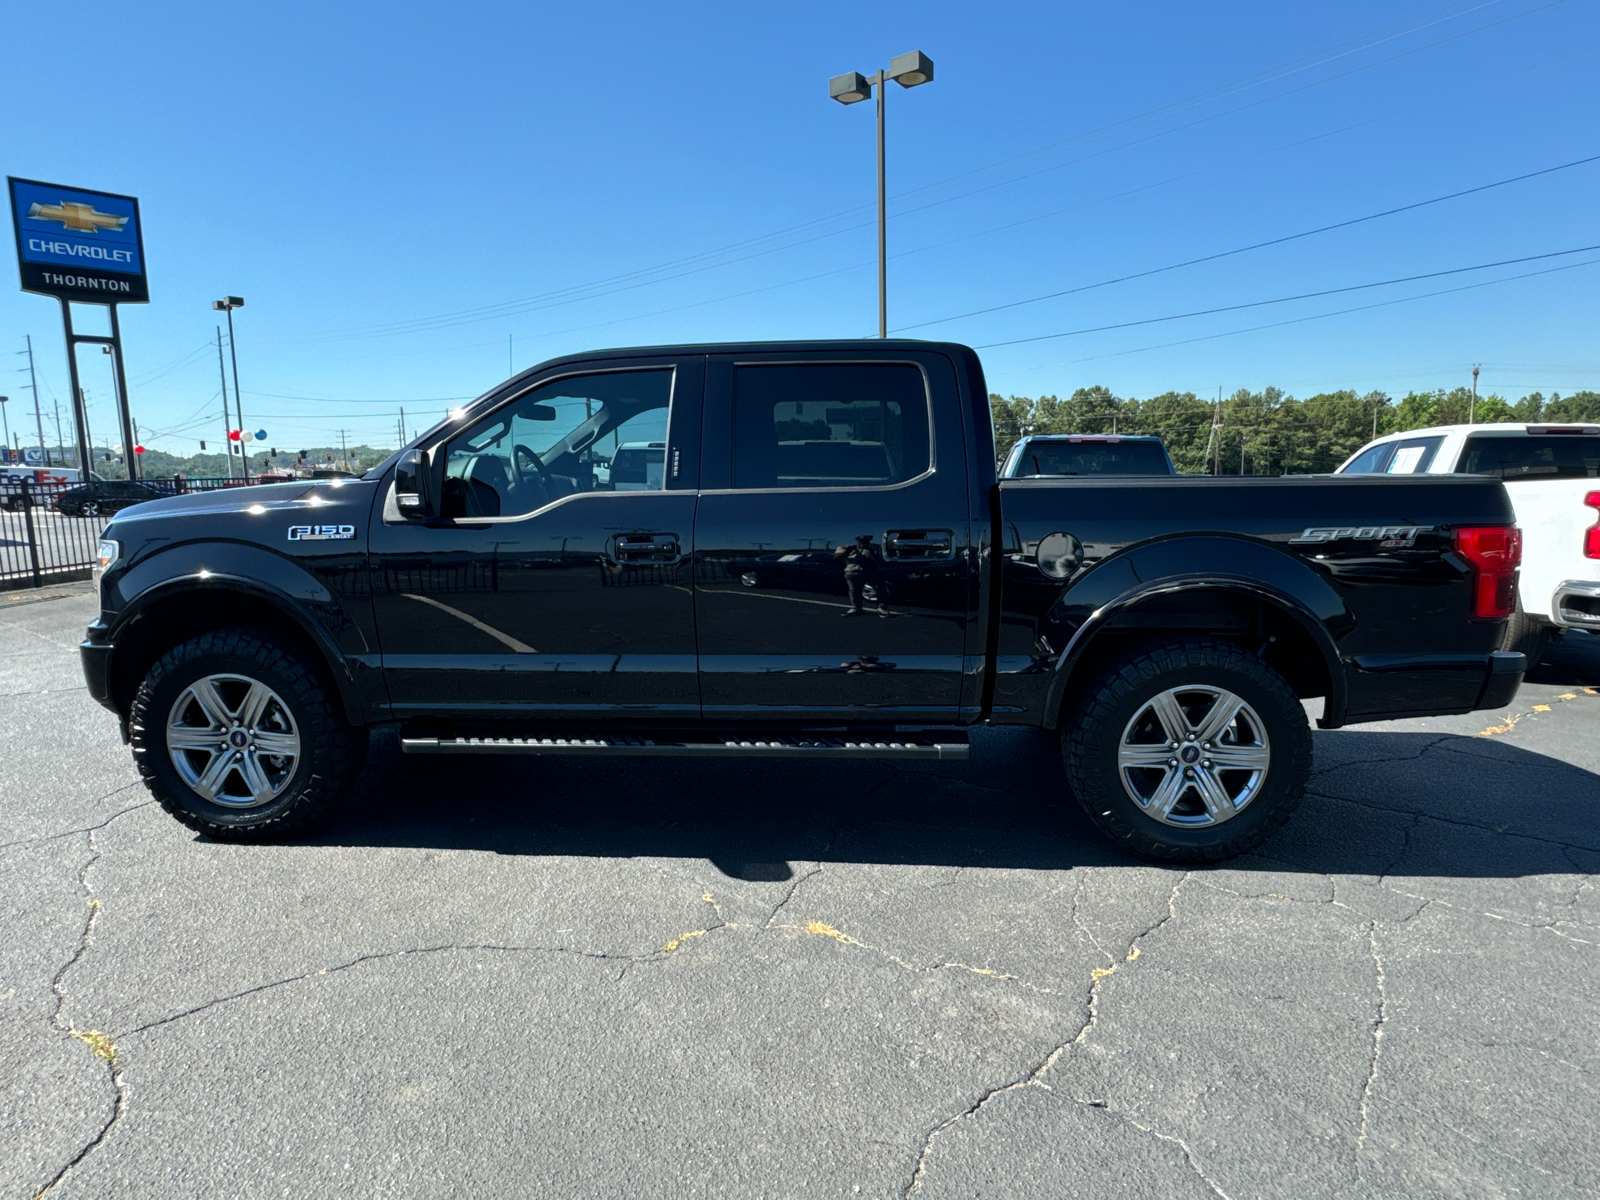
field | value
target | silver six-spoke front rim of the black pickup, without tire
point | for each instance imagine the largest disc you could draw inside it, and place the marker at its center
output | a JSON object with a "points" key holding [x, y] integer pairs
{"points": [[233, 742]]}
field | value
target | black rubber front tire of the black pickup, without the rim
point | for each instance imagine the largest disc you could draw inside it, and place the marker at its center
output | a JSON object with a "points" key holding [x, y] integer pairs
{"points": [[332, 751]]}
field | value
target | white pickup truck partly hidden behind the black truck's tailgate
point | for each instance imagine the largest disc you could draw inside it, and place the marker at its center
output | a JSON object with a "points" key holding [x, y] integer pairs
{"points": [[1553, 476]]}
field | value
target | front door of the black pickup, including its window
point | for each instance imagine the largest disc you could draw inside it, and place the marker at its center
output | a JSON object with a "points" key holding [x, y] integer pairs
{"points": [[556, 582]]}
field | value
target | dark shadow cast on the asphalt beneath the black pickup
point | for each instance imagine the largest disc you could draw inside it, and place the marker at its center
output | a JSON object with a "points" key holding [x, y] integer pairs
{"points": [[1380, 804]]}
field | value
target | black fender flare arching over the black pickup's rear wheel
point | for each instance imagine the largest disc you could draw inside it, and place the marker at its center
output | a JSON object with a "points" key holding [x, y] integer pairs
{"points": [[1185, 564]]}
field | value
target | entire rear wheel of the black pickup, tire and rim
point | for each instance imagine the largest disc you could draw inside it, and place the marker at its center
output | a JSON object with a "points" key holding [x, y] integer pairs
{"points": [[1190, 751]]}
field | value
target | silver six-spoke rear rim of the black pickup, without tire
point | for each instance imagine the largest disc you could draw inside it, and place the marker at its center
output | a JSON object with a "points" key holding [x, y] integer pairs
{"points": [[1194, 756]]}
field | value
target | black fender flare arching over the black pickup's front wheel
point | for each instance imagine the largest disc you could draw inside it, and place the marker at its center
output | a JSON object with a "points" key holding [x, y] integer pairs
{"points": [[266, 586]]}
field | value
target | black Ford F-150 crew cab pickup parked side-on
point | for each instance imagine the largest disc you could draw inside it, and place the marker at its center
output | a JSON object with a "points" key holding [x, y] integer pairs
{"points": [[790, 550]]}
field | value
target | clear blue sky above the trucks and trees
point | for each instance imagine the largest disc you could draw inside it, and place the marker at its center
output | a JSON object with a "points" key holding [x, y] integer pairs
{"points": [[401, 190]]}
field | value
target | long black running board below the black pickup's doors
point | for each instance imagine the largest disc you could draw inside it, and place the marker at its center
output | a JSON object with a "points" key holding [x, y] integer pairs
{"points": [[950, 748]]}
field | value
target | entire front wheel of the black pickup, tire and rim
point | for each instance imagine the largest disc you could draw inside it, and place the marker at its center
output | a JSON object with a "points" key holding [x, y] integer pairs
{"points": [[239, 738]]}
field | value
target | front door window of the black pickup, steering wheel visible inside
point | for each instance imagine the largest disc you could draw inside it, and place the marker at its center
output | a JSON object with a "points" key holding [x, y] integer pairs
{"points": [[591, 433]]}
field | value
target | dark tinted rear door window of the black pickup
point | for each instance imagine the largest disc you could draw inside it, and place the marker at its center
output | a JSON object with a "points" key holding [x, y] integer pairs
{"points": [[830, 426]]}
